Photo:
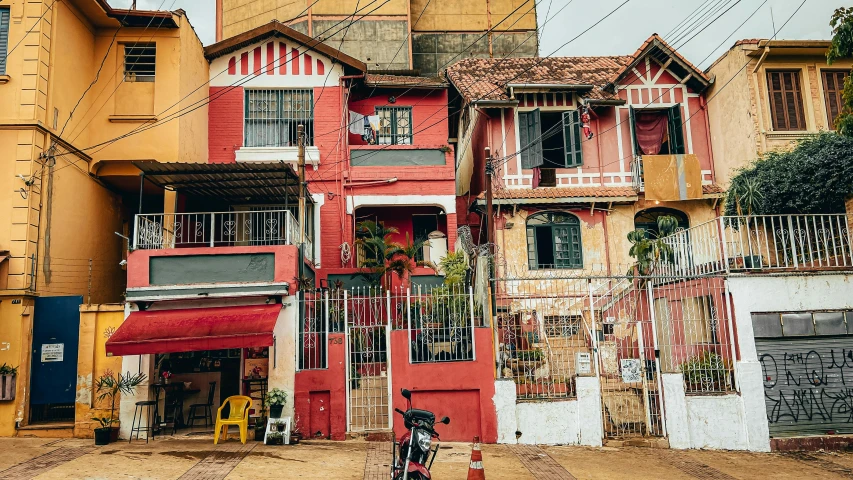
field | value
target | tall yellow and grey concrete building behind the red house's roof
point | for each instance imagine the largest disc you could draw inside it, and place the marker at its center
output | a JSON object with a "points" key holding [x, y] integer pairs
{"points": [[422, 35]]}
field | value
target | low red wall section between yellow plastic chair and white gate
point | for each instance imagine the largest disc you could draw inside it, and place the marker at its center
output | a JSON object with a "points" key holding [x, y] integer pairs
{"points": [[331, 381]]}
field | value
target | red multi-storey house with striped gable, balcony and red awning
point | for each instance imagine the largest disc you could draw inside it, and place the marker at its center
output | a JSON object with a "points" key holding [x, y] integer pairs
{"points": [[336, 342]]}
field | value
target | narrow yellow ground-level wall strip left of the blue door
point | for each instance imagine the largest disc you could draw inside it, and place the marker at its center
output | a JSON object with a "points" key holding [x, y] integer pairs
{"points": [[15, 340]]}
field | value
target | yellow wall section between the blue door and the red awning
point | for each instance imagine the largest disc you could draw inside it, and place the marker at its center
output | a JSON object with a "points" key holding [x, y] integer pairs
{"points": [[97, 324]]}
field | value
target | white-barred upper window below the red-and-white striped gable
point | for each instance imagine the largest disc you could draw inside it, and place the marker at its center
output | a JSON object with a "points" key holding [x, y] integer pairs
{"points": [[272, 117]]}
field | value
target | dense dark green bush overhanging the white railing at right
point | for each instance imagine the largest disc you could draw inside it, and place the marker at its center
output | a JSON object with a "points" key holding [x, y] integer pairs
{"points": [[812, 178]]}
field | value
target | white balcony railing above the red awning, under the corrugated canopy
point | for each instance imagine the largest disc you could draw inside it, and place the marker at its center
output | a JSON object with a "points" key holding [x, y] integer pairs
{"points": [[218, 229]]}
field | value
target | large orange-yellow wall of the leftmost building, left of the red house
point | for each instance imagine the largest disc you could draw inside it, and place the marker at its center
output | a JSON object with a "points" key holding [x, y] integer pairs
{"points": [[59, 213]]}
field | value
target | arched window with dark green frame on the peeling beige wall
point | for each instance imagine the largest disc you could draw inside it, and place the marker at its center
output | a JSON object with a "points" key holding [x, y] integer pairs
{"points": [[554, 241]]}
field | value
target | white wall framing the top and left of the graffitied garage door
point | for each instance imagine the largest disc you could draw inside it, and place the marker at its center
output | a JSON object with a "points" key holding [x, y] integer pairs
{"points": [[753, 294]]}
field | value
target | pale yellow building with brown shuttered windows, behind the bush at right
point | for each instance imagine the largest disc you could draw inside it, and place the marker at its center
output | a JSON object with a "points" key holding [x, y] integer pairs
{"points": [[768, 94]]}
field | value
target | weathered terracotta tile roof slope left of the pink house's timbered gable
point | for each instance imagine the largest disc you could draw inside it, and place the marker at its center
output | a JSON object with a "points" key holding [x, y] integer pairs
{"points": [[486, 78]]}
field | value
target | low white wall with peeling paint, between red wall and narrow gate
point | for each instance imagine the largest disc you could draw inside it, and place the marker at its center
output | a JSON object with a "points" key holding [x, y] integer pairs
{"points": [[565, 422]]}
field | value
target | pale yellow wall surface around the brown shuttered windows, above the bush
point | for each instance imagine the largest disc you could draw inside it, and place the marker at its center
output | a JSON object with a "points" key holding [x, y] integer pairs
{"points": [[740, 122]]}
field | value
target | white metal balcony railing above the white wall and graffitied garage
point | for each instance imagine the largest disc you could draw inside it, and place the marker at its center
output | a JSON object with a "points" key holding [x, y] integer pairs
{"points": [[761, 242]]}
